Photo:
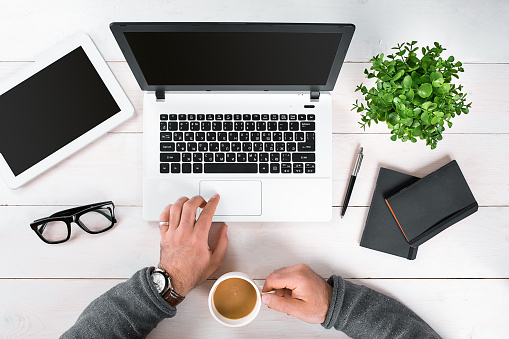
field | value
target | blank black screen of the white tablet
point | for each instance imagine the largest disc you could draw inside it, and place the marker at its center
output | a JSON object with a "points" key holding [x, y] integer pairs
{"points": [[51, 109]]}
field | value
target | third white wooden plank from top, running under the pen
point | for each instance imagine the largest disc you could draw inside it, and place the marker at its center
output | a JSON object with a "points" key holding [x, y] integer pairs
{"points": [[111, 169]]}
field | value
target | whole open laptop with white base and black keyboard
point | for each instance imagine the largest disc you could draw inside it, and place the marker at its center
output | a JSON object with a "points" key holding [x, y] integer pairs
{"points": [[238, 109]]}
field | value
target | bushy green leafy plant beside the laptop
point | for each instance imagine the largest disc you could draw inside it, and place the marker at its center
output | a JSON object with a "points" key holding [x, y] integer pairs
{"points": [[415, 97]]}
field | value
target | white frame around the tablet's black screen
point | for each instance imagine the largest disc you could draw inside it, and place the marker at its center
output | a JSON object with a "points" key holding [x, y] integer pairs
{"points": [[52, 55]]}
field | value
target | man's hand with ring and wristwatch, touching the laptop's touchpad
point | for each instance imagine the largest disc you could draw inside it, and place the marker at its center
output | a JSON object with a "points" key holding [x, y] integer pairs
{"points": [[185, 253]]}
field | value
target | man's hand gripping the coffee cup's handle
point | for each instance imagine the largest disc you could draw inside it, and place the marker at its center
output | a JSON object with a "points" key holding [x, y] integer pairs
{"points": [[300, 292]]}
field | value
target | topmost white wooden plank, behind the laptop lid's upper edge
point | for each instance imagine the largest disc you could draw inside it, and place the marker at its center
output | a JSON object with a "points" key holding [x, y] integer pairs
{"points": [[465, 29]]}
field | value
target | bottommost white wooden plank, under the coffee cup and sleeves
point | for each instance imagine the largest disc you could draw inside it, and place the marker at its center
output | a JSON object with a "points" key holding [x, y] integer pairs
{"points": [[28, 313]]}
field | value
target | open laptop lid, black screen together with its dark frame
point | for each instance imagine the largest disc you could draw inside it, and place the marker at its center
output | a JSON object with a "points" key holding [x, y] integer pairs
{"points": [[234, 56]]}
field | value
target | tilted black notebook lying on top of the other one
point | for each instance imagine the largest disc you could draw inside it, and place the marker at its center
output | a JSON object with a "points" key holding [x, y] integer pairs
{"points": [[432, 204]]}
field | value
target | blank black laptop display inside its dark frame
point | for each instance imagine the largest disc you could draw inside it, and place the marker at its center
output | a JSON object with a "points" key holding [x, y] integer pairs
{"points": [[234, 58]]}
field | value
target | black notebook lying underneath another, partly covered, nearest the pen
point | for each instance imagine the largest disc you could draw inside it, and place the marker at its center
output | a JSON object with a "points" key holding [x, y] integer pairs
{"points": [[381, 232]]}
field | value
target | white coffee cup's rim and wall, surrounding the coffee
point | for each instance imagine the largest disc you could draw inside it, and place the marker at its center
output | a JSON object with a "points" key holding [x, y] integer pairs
{"points": [[234, 322]]}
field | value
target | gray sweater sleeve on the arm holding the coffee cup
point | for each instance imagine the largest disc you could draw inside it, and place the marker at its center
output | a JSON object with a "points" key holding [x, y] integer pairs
{"points": [[361, 312]]}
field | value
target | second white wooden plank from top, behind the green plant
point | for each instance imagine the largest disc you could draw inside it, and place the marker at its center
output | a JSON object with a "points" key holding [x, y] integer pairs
{"points": [[485, 85]]}
